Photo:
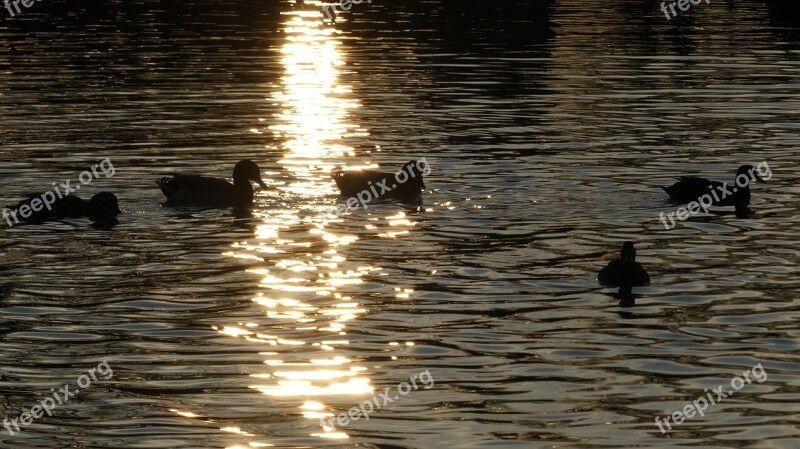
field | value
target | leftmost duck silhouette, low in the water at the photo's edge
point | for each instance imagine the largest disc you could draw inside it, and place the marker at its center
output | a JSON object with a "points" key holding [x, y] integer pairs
{"points": [[101, 206]]}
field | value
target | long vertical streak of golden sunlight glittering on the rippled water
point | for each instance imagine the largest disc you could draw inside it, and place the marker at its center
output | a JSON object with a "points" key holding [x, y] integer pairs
{"points": [[305, 278]]}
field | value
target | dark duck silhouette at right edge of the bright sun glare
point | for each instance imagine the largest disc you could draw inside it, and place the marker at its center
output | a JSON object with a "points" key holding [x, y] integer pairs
{"points": [[407, 187]]}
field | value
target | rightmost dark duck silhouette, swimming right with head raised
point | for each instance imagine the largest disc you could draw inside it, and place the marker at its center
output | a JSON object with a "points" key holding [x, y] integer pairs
{"points": [[689, 188]]}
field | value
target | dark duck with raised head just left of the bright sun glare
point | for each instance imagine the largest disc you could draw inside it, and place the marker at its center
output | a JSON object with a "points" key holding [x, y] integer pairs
{"points": [[194, 190]]}
